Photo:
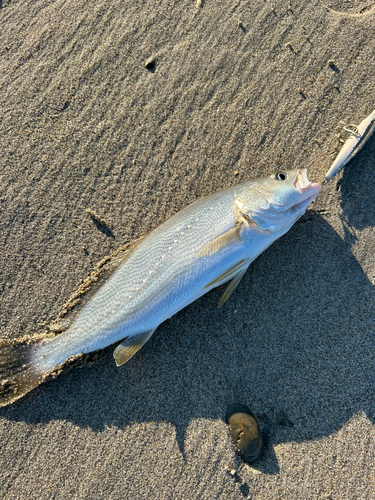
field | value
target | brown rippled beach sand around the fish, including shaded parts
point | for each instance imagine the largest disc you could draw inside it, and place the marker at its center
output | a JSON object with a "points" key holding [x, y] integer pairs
{"points": [[248, 86]]}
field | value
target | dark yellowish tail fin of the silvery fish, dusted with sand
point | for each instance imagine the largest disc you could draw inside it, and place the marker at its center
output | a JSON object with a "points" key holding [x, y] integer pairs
{"points": [[18, 374]]}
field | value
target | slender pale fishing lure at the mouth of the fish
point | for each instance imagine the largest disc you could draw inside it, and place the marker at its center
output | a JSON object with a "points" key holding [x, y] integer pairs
{"points": [[355, 142]]}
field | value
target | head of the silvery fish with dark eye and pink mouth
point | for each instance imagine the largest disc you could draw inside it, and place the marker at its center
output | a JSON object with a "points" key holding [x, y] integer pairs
{"points": [[276, 202]]}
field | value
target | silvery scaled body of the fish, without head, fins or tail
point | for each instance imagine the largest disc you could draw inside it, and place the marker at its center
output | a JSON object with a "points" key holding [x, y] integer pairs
{"points": [[152, 296]]}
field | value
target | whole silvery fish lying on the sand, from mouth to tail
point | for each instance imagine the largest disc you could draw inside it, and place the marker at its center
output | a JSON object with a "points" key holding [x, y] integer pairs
{"points": [[208, 243]]}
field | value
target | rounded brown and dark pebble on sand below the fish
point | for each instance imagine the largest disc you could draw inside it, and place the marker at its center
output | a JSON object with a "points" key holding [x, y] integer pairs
{"points": [[245, 432]]}
